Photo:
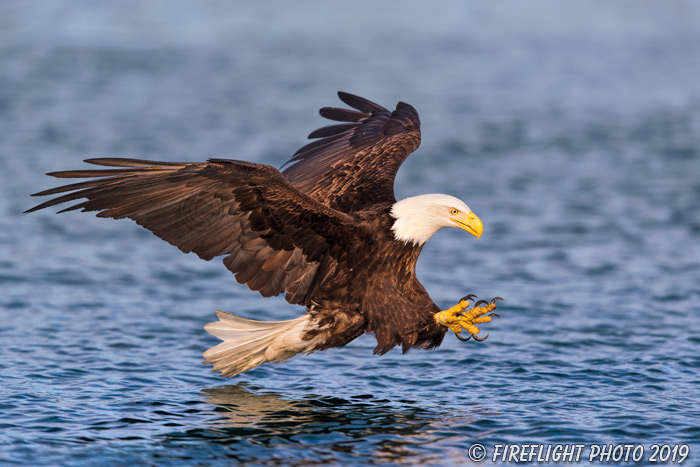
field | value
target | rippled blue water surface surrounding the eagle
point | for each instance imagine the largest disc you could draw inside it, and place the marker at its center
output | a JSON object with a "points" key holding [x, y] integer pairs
{"points": [[571, 128]]}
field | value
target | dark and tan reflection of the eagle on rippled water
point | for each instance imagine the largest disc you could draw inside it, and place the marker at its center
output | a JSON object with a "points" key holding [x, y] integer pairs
{"points": [[387, 431]]}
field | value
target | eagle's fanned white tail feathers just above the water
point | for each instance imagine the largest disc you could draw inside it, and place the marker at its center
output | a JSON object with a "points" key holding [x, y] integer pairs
{"points": [[248, 343]]}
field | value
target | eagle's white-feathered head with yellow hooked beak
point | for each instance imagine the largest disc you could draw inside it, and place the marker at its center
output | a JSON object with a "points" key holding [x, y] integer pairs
{"points": [[418, 218]]}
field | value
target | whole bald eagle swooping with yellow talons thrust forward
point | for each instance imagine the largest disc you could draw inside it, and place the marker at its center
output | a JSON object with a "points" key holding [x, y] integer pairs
{"points": [[327, 231]]}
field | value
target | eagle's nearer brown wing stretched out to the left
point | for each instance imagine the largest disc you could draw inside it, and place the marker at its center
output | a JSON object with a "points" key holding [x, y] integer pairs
{"points": [[275, 236]]}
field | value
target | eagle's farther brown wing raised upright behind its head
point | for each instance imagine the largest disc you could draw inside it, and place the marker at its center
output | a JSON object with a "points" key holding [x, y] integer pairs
{"points": [[354, 164]]}
